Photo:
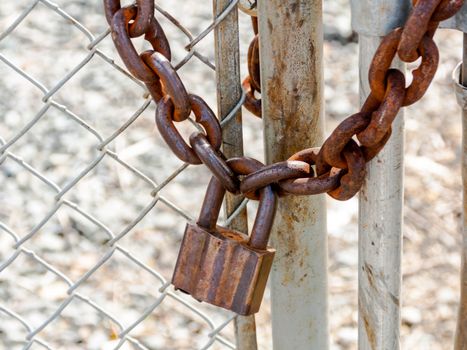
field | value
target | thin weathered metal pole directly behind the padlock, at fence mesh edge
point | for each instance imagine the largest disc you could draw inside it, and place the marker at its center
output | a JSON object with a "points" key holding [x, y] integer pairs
{"points": [[229, 93]]}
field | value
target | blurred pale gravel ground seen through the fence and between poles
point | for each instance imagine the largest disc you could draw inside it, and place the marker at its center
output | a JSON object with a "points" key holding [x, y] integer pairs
{"points": [[48, 47]]}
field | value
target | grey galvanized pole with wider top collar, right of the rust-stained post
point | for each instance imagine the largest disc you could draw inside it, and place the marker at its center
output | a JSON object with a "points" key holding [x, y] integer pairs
{"points": [[381, 197]]}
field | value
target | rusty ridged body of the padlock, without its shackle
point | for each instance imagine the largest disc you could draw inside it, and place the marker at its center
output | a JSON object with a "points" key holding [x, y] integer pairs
{"points": [[221, 269]]}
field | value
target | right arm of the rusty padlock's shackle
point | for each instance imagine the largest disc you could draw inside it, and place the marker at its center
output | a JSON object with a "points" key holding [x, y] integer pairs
{"points": [[264, 219]]}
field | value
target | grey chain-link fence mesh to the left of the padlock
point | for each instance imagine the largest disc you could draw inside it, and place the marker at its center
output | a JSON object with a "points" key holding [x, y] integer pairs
{"points": [[89, 196]]}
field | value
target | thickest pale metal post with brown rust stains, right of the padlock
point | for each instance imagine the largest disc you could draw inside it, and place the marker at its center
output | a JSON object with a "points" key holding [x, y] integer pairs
{"points": [[291, 80]]}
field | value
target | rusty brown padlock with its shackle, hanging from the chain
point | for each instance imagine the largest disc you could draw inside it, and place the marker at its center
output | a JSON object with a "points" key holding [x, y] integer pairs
{"points": [[224, 267]]}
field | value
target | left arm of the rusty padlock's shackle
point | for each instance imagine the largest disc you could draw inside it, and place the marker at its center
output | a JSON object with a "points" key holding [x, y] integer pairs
{"points": [[211, 205]]}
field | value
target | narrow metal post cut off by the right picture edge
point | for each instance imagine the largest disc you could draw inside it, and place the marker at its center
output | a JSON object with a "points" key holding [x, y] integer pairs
{"points": [[459, 22]]}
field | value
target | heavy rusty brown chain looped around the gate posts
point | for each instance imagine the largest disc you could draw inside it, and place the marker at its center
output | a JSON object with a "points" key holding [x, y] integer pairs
{"points": [[338, 167]]}
